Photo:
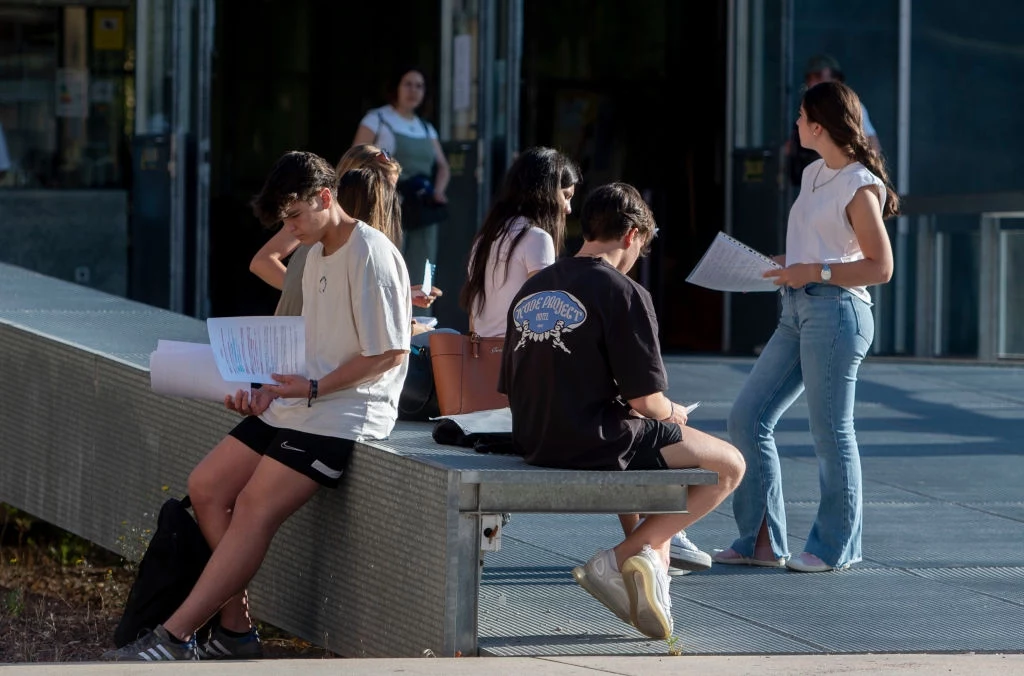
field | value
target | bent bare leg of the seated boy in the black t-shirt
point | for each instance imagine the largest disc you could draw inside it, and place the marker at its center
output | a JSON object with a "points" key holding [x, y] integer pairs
{"points": [[697, 450]]}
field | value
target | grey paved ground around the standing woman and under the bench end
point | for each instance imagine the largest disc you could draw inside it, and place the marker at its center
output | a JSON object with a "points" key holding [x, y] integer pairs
{"points": [[941, 589]]}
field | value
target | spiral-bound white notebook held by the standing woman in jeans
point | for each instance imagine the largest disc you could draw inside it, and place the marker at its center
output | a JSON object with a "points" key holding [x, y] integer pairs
{"points": [[732, 266]]}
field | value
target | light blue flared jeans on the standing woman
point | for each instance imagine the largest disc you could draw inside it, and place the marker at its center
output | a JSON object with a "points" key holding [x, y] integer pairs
{"points": [[824, 334]]}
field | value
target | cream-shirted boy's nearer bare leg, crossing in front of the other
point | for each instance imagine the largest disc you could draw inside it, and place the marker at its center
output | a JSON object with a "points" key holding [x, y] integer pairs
{"points": [[274, 494]]}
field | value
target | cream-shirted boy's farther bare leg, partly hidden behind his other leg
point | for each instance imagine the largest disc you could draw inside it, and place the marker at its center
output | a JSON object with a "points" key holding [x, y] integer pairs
{"points": [[214, 487]]}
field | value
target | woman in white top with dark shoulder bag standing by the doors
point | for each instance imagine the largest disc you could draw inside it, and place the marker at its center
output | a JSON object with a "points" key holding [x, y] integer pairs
{"points": [[415, 145]]}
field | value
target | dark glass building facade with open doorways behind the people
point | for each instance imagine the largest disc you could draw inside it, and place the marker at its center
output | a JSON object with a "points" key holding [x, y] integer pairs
{"points": [[138, 131]]}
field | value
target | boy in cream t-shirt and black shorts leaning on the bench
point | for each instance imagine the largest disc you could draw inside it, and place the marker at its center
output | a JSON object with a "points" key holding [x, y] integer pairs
{"points": [[300, 434]]}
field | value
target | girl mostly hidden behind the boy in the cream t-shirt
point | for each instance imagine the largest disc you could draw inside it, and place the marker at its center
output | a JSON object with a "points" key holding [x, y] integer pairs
{"points": [[269, 262]]}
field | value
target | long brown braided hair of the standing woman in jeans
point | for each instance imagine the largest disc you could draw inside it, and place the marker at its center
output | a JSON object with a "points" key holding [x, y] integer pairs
{"points": [[837, 108]]}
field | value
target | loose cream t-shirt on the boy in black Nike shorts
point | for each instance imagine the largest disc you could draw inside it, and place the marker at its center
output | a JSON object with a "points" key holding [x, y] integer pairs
{"points": [[356, 302]]}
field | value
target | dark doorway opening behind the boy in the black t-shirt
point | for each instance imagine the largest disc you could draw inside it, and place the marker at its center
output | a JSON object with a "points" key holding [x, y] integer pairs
{"points": [[636, 93]]}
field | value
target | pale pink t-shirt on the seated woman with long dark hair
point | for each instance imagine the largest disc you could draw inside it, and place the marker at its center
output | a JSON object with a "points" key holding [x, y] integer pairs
{"points": [[535, 251]]}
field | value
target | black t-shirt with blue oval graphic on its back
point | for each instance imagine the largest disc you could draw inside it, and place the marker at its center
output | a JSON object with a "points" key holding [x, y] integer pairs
{"points": [[582, 341]]}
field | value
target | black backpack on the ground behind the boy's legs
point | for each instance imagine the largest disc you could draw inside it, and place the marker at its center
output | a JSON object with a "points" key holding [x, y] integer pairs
{"points": [[174, 562]]}
